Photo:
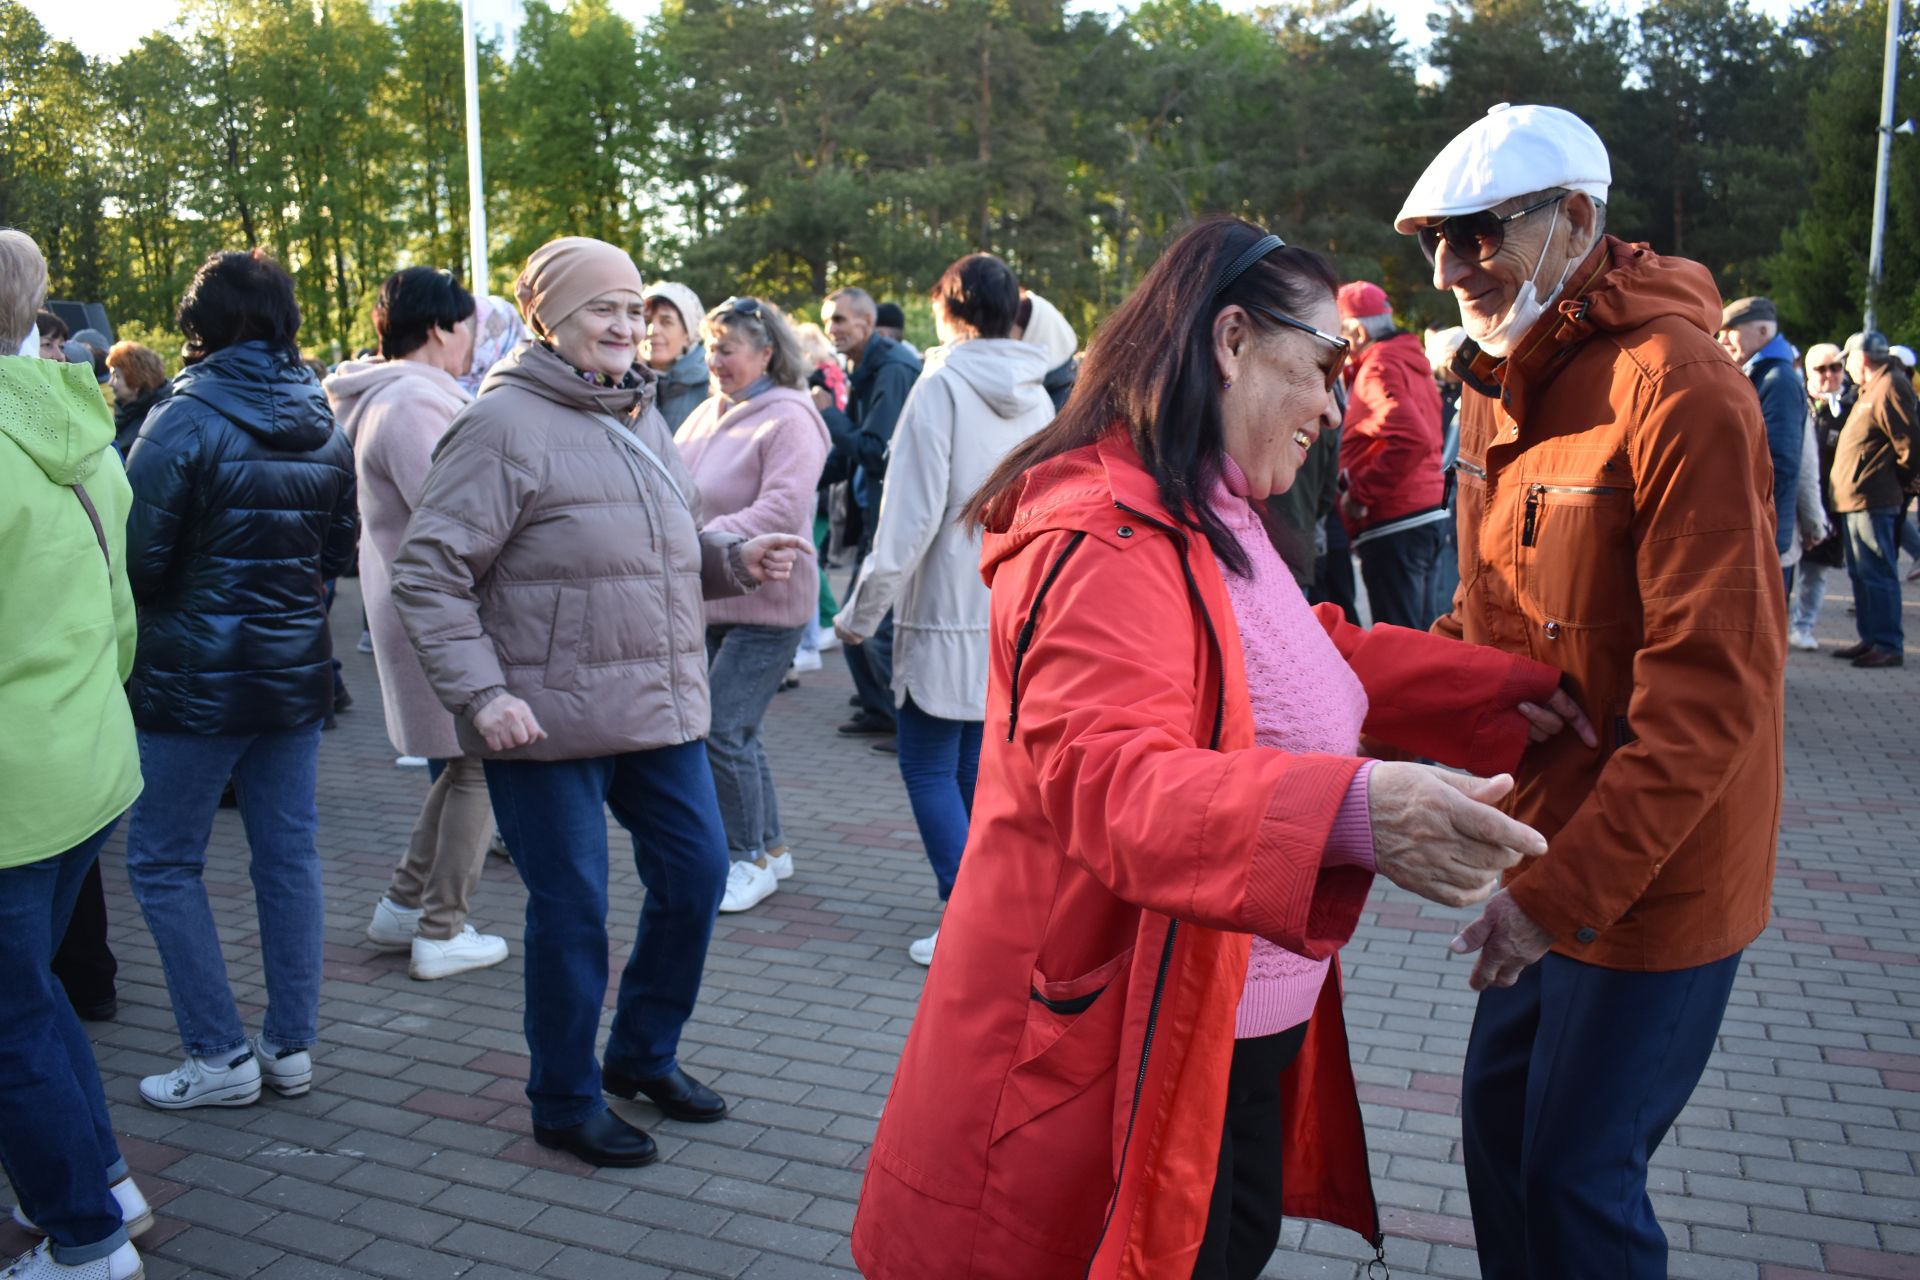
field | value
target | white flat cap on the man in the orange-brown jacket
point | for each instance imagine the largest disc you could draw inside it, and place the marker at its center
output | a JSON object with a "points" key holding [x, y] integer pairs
{"points": [[1510, 153]]}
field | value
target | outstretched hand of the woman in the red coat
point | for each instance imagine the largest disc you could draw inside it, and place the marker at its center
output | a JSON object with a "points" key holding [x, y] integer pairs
{"points": [[1439, 836]]}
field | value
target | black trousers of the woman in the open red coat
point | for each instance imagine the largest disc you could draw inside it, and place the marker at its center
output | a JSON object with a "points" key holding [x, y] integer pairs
{"points": [[1243, 1223]]}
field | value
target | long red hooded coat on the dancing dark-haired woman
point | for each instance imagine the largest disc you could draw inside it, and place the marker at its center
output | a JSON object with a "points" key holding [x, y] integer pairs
{"points": [[1059, 1108]]}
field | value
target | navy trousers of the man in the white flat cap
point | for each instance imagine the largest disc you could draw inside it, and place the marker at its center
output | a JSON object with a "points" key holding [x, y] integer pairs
{"points": [[1575, 1074]]}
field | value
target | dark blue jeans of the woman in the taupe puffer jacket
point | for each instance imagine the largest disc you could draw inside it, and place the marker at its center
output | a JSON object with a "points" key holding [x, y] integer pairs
{"points": [[554, 817]]}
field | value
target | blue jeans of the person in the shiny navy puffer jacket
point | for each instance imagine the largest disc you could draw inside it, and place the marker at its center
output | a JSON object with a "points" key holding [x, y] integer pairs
{"points": [[168, 853]]}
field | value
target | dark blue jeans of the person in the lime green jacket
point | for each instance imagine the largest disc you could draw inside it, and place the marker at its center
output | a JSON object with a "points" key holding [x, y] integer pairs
{"points": [[57, 1139]]}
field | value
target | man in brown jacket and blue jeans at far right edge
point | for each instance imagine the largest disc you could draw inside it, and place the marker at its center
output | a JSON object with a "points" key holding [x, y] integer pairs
{"points": [[1873, 465]]}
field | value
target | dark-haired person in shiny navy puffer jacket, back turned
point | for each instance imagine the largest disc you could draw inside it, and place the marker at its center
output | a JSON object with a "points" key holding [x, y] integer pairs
{"points": [[243, 513]]}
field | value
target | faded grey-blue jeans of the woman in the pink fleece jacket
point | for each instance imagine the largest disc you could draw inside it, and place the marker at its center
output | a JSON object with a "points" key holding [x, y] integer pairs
{"points": [[746, 667]]}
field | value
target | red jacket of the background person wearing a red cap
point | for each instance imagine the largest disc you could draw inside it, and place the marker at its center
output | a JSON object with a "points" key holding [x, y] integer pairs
{"points": [[1391, 440]]}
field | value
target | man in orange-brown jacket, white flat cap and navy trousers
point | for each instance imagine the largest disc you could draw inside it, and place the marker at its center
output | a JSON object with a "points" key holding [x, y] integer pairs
{"points": [[1618, 521]]}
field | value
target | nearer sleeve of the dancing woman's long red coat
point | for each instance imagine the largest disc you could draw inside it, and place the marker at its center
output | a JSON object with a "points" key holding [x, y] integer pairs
{"points": [[1118, 676]]}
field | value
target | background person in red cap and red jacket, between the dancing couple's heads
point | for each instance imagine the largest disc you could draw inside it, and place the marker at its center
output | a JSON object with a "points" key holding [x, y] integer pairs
{"points": [[1393, 494]]}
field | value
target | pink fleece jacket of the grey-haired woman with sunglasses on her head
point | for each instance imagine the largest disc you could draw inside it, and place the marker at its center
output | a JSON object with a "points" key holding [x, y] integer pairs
{"points": [[757, 465]]}
